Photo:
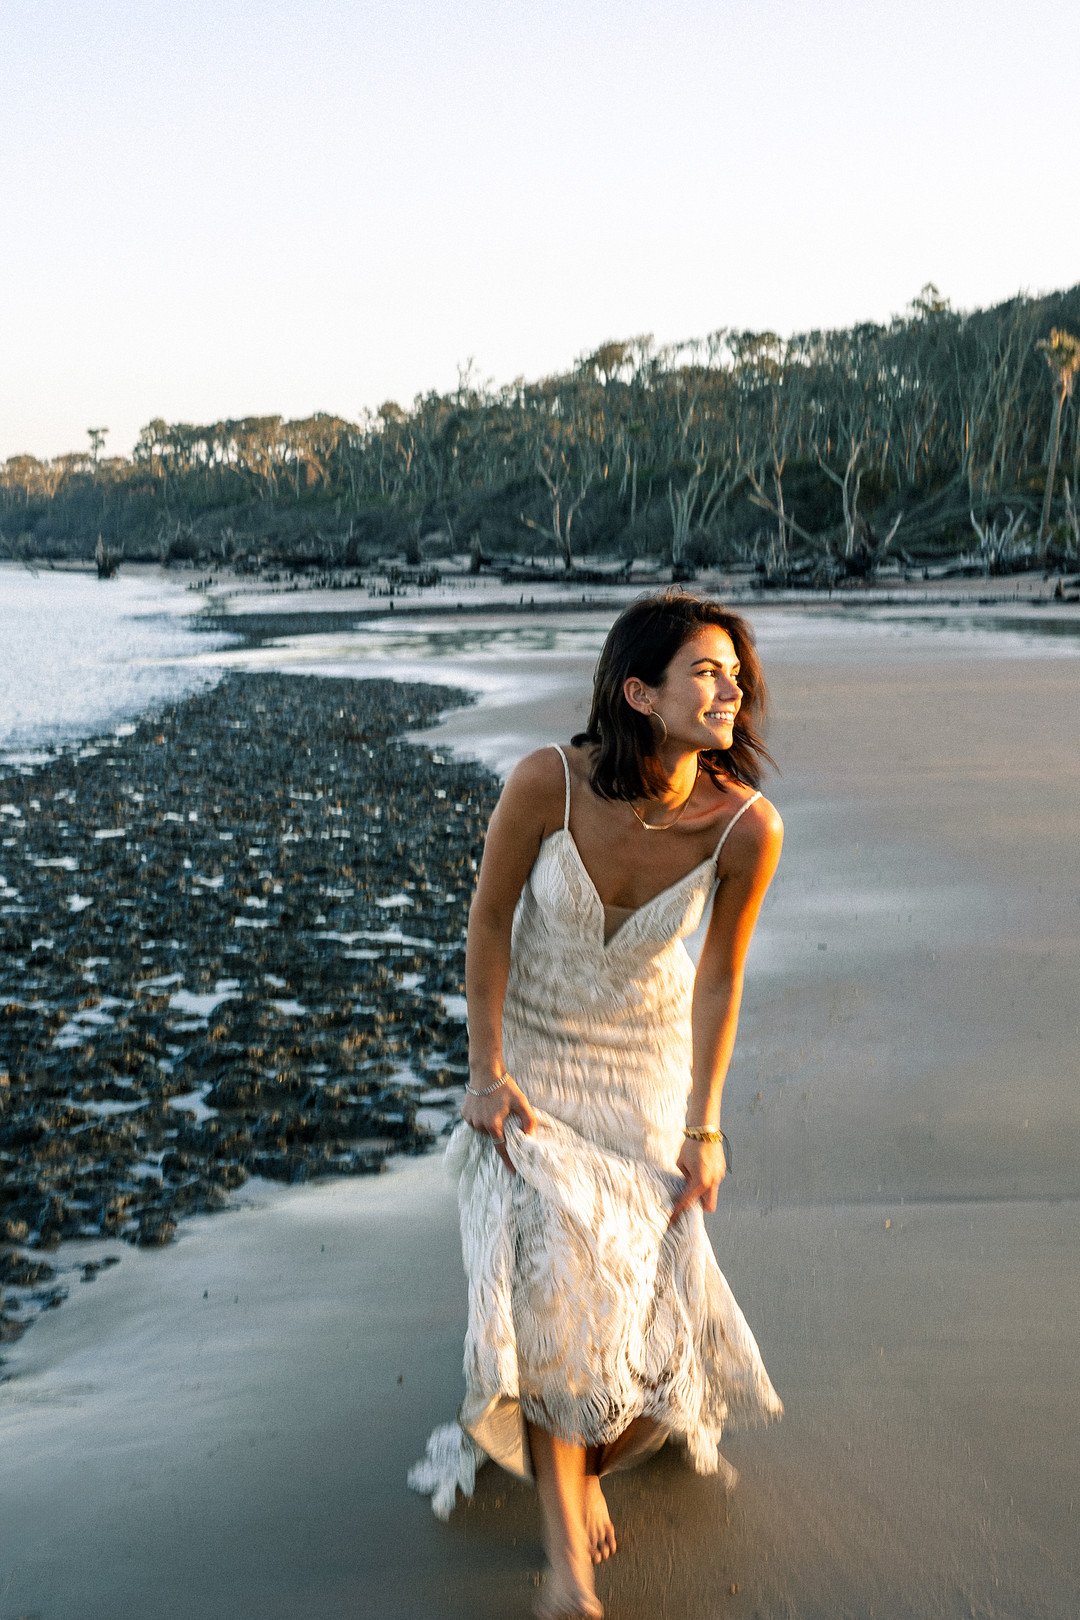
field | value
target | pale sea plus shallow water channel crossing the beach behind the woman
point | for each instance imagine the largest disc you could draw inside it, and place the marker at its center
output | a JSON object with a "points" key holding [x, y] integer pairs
{"points": [[82, 657]]}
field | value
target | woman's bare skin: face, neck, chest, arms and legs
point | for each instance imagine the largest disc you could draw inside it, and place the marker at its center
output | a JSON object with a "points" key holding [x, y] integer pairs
{"points": [[697, 702]]}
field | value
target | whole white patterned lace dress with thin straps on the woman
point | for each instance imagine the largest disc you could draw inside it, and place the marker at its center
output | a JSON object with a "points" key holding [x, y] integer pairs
{"points": [[585, 1310]]}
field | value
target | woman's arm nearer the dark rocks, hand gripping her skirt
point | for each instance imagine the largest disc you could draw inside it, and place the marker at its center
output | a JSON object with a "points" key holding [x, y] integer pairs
{"points": [[529, 809]]}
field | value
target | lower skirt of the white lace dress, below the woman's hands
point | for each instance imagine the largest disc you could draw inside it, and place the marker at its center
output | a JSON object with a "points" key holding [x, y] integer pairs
{"points": [[589, 1311]]}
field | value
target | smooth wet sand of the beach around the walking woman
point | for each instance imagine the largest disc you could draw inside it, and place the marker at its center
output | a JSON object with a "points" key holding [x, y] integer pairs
{"points": [[221, 1430]]}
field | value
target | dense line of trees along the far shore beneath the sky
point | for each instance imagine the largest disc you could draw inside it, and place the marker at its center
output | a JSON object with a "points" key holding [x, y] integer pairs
{"points": [[810, 456]]}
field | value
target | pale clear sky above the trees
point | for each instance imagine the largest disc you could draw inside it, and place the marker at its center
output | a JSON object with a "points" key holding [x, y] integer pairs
{"points": [[216, 210]]}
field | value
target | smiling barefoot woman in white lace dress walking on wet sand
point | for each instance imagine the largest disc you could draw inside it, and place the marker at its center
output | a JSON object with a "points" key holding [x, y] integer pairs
{"points": [[592, 1145]]}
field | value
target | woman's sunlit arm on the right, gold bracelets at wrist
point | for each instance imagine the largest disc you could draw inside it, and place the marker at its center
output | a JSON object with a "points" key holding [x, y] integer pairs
{"points": [[750, 861]]}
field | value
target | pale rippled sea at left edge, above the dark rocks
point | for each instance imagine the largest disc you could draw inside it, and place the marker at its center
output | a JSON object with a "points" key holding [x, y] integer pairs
{"points": [[80, 655]]}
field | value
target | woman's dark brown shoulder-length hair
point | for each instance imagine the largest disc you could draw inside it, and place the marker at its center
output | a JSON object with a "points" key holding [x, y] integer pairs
{"points": [[642, 642]]}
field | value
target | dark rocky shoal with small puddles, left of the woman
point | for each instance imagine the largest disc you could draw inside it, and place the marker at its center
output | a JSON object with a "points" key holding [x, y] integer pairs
{"points": [[224, 950]]}
